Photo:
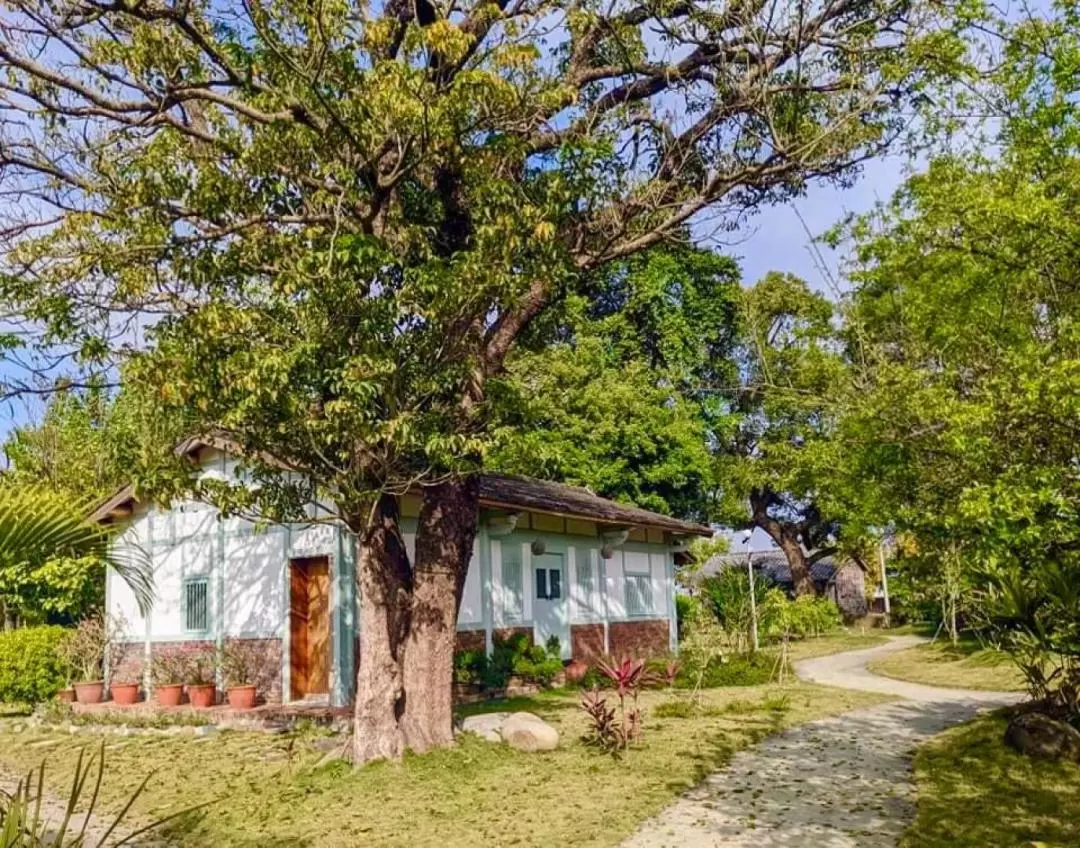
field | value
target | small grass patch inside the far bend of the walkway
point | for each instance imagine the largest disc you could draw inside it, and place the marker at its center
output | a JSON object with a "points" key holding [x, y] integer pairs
{"points": [[965, 667]]}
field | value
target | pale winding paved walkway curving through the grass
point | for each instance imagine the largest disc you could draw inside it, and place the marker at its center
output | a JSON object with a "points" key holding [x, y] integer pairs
{"points": [[834, 784]]}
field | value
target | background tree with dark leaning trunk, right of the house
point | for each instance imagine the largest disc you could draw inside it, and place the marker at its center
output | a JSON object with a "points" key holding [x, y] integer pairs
{"points": [[777, 466]]}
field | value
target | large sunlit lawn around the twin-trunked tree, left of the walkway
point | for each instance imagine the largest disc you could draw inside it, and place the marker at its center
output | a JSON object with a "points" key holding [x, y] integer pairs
{"points": [[268, 792]]}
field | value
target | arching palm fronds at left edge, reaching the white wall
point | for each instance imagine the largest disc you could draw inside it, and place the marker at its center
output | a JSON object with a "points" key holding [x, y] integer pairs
{"points": [[38, 526]]}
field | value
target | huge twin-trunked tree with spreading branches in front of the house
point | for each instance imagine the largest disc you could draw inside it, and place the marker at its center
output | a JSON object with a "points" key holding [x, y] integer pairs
{"points": [[323, 227]]}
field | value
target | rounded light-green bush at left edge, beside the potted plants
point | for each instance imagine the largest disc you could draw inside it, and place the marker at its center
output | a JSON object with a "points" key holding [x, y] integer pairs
{"points": [[32, 665]]}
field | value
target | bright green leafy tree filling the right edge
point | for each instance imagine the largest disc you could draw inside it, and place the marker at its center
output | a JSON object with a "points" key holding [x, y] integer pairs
{"points": [[965, 416]]}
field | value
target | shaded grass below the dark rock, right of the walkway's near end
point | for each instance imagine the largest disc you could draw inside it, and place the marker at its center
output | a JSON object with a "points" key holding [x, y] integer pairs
{"points": [[974, 791]]}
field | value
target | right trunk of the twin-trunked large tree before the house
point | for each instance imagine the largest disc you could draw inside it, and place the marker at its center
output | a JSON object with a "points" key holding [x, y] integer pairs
{"points": [[447, 532]]}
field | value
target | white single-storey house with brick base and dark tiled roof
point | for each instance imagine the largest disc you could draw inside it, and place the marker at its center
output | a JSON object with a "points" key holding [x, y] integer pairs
{"points": [[549, 560]]}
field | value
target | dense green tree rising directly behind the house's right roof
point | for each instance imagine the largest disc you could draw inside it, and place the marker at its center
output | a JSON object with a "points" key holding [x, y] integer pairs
{"points": [[627, 396]]}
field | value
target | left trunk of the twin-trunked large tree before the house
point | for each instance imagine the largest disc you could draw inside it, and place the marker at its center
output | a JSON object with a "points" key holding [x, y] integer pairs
{"points": [[384, 578]]}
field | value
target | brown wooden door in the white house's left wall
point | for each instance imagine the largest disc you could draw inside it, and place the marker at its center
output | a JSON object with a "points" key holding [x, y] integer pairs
{"points": [[309, 627]]}
